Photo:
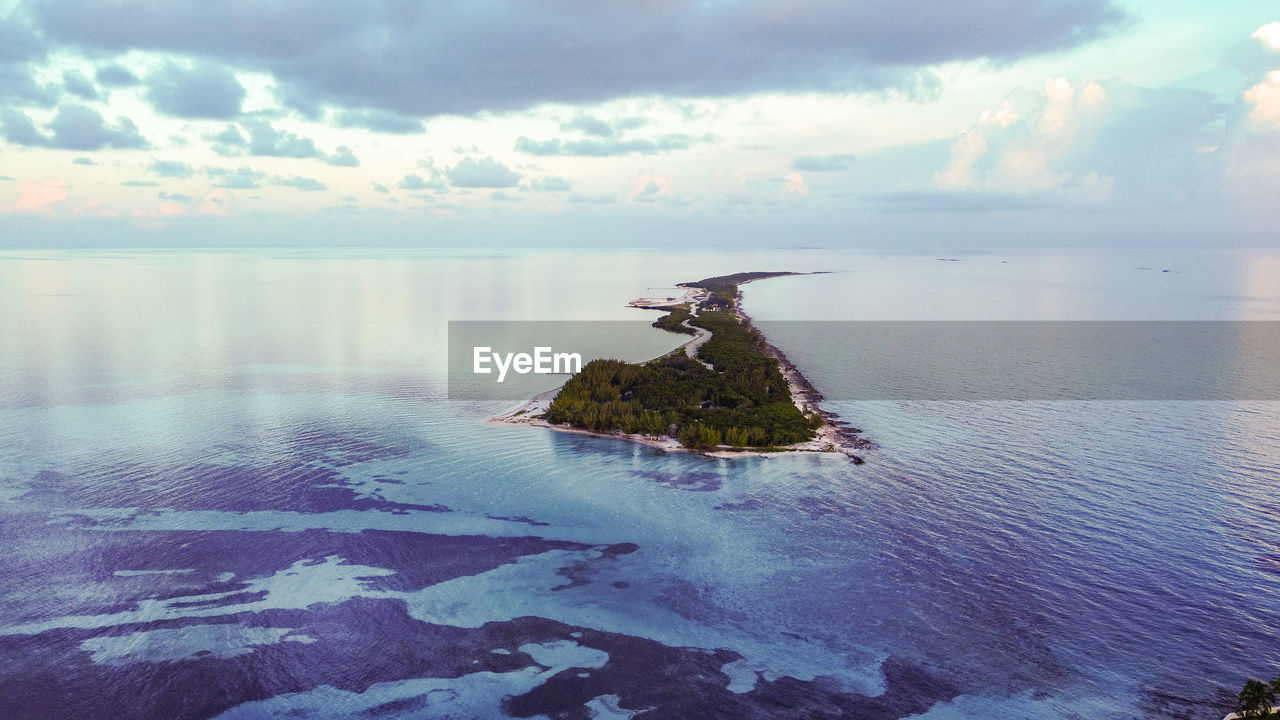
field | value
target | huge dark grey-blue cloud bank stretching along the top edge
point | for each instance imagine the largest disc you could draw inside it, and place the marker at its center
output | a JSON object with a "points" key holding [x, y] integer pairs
{"points": [[464, 58]]}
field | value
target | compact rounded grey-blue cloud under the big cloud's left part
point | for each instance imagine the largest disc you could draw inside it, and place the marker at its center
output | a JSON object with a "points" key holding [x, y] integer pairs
{"points": [[200, 92]]}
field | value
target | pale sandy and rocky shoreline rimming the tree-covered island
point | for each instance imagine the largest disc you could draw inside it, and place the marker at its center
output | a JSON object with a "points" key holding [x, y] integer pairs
{"points": [[831, 438]]}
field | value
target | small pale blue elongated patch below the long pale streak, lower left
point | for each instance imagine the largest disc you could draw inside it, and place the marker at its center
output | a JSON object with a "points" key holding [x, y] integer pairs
{"points": [[184, 644]]}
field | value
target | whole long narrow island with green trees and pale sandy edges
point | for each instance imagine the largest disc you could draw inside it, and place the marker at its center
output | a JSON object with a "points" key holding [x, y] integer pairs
{"points": [[724, 393]]}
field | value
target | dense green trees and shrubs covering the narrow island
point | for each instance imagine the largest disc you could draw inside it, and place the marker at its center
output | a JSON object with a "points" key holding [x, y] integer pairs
{"points": [[742, 400]]}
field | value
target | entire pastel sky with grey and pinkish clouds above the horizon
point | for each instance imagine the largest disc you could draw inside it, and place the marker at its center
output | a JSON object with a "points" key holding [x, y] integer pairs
{"points": [[815, 124]]}
